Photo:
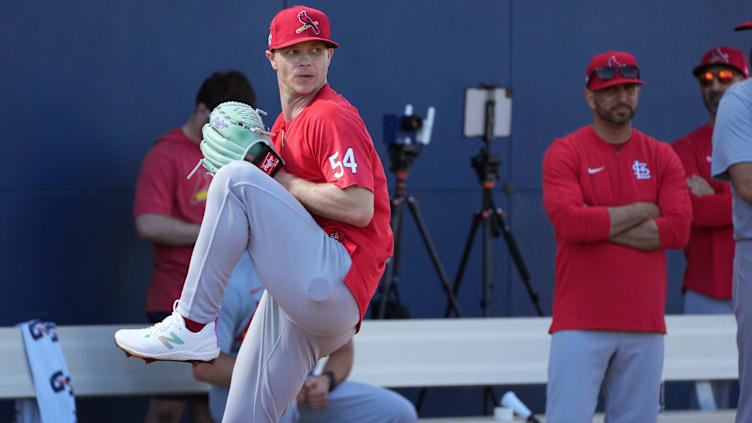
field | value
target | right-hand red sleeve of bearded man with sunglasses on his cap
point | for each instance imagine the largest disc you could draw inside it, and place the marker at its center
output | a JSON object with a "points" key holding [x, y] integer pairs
{"points": [[673, 200]]}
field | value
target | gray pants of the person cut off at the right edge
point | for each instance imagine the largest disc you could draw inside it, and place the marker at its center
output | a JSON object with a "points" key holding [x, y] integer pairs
{"points": [[742, 301]]}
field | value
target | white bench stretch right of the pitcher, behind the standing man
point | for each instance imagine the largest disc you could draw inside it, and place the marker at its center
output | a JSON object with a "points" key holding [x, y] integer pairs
{"points": [[514, 351]]}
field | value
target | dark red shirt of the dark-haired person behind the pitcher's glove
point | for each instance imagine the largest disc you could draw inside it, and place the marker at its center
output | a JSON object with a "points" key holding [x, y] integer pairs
{"points": [[162, 188]]}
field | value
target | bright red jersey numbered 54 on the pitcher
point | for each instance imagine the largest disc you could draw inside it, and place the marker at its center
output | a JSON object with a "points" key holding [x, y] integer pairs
{"points": [[328, 142]]}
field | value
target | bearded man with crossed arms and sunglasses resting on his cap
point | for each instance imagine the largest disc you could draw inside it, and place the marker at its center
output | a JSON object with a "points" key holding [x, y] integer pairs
{"points": [[617, 199]]}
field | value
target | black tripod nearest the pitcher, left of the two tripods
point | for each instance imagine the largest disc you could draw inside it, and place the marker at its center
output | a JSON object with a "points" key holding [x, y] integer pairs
{"points": [[402, 157]]}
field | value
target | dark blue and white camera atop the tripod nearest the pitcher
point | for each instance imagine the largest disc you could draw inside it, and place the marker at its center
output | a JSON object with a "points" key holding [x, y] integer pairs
{"points": [[406, 135]]}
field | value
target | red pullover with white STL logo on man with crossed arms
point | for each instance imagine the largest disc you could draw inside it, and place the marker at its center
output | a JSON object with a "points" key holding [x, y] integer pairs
{"points": [[600, 285]]}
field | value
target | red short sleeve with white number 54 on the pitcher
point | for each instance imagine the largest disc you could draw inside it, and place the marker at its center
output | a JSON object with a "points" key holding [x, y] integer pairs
{"points": [[344, 150]]}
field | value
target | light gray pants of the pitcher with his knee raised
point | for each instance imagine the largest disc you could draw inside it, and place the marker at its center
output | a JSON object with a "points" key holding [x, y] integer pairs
{"points": [[307, 311]]}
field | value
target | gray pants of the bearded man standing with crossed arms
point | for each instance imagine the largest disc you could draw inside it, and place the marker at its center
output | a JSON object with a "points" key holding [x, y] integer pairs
{"points": [[627, 366]]}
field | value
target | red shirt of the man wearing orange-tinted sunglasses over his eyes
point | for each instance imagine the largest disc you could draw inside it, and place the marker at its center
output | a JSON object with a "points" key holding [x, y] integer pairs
{"points": [[710, 251]]}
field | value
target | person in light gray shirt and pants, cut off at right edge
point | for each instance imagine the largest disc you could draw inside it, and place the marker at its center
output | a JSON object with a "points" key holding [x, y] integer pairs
{"points": [[732, 161]]}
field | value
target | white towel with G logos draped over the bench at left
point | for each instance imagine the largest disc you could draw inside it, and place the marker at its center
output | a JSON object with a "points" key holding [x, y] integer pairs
{"points": [[52, 385]]}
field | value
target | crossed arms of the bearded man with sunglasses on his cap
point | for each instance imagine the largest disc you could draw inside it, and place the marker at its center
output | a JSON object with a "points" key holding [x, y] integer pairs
{"points": [[642, 225]]}
